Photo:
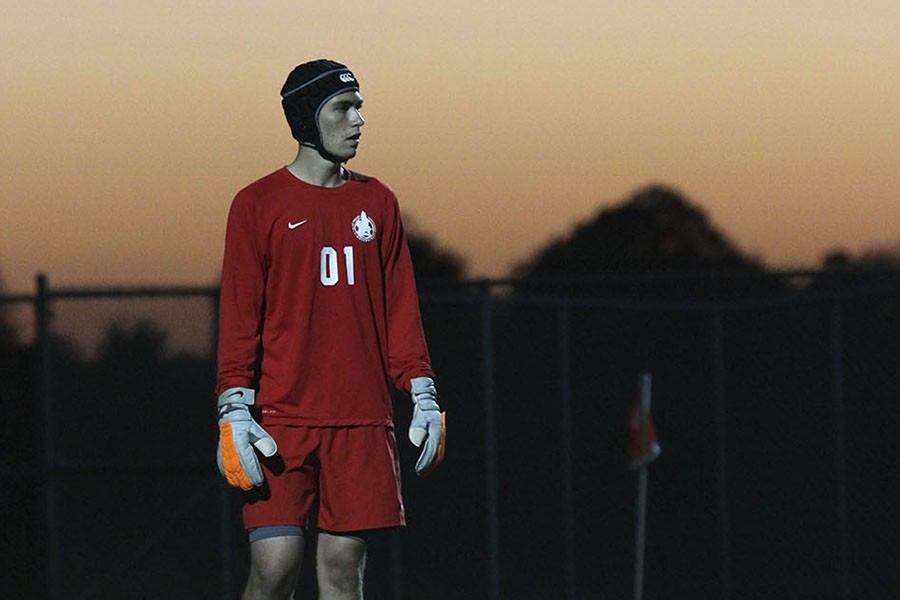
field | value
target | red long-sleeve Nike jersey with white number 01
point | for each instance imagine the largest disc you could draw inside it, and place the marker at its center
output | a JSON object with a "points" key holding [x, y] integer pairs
{"points": [[318, 308]]}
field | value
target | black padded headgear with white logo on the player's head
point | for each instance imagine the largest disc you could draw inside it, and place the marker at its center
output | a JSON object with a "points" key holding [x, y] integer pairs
{"points": [[307, 89]]}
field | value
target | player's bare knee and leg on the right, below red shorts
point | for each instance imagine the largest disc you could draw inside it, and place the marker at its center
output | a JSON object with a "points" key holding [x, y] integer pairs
{"points": [[340, 564]]}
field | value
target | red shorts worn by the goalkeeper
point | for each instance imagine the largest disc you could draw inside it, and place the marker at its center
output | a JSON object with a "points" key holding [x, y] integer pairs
{"points": [[353, 472]]}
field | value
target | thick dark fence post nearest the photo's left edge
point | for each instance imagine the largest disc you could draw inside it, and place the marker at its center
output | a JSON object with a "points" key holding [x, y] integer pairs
{"points": [[48, 467]]}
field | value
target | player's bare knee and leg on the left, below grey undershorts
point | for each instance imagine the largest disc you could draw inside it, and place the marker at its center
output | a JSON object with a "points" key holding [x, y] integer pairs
{"points": [[274, 568]]}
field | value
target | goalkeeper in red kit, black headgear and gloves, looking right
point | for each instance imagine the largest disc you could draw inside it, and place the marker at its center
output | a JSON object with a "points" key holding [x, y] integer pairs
{"points": [[319, 314]]}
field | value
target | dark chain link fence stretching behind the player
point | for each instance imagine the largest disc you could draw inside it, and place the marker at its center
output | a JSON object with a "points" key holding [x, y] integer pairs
{"points": [[776, 398]]}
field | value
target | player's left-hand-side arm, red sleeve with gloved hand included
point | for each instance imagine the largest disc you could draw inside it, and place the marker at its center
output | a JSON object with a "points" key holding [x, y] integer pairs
{"points": [[240, 327]]}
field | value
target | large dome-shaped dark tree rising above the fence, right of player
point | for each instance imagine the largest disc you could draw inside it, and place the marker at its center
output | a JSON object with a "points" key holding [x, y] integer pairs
{"points": [[656, 230]]}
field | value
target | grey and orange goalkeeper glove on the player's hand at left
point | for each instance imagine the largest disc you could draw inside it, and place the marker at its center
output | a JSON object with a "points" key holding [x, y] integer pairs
{"points": [[239, 434]]}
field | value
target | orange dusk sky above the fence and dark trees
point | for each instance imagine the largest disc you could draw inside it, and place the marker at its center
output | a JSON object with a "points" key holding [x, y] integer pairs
{"points": [[129, 126]]}
